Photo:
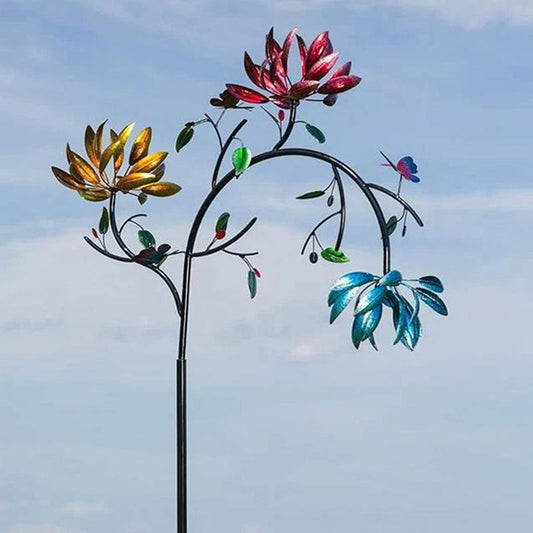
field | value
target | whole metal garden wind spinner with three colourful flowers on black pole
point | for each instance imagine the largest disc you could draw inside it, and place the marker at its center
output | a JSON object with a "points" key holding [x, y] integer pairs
{"points": [[111, 171]]}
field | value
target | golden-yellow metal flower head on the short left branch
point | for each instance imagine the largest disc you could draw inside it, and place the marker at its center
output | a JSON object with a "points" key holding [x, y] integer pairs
{"points": [[94, 183]]}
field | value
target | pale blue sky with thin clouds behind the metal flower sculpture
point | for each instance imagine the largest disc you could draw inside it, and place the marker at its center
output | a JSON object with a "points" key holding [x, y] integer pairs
{"points": [[291, 429]]}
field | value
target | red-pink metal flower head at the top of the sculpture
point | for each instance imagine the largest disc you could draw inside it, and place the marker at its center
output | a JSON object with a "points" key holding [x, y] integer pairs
{"points": [[316, 63]]}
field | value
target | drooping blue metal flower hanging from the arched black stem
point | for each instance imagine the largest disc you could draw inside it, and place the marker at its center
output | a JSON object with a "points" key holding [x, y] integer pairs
{"points": [[372, 292]]}
